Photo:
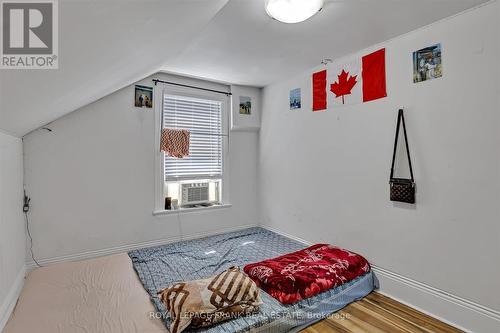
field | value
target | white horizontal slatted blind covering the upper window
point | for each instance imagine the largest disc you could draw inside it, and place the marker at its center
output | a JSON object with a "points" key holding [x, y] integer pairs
{"points": [[203, 119]]}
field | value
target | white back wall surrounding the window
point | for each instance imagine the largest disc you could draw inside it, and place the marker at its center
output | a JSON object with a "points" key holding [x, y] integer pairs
{"points": [[92, 180]]}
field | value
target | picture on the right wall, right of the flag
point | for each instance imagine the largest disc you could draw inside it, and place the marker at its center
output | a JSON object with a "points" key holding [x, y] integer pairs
{"points": [[427, 64]]}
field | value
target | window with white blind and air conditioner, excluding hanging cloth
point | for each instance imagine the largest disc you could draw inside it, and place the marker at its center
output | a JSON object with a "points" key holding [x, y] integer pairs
{"points": [[196, 179]]}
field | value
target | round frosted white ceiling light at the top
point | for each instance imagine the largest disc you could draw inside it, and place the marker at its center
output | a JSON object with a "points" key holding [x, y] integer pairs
{"points": [[293, 11]]}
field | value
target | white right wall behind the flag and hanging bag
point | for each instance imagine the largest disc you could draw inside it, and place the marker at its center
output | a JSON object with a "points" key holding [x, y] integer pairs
{"points": [[324, 175]]}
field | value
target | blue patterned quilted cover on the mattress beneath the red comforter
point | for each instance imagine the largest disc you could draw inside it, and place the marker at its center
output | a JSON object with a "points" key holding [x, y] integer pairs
{"points": [[159, 267]]}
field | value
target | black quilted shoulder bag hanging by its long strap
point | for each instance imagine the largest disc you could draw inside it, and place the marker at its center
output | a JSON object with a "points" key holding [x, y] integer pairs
{"points": [[402, 189]]}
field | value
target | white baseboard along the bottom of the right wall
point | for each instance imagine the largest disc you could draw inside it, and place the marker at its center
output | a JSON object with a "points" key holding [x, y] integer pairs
{"points": [[454, 310]]}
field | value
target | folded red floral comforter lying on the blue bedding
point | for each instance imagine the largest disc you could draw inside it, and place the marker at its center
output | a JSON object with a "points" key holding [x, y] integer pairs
{"points": [[307, 272]]}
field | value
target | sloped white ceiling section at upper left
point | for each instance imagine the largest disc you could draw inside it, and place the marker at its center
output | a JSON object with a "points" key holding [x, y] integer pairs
{"points": [[104, 45]]}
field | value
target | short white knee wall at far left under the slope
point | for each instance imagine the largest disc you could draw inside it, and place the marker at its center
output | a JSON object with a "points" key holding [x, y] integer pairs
{"points": [[12, 234]]}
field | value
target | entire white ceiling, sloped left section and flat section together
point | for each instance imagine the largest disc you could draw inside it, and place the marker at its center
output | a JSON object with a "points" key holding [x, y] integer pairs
{"points": [[105, 45]]}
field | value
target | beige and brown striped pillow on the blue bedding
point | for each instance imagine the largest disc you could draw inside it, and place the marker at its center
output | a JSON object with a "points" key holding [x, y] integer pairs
{"points": [[202, 303]]}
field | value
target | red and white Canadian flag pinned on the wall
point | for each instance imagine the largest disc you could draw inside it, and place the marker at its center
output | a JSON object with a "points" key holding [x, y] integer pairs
{"points": [[357, 81]]}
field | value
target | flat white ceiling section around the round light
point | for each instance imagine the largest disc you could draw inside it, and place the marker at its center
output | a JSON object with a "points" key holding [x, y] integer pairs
{"points": [[243, 45]]}
